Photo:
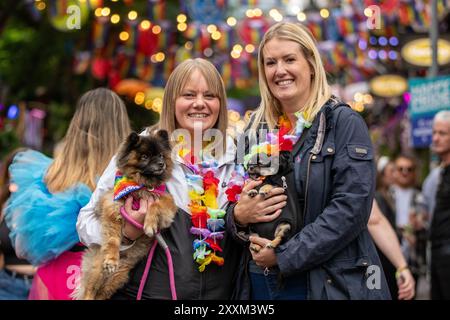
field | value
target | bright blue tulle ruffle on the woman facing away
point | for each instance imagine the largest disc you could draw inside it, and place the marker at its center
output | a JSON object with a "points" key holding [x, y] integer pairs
{"points": [[43, 225]]}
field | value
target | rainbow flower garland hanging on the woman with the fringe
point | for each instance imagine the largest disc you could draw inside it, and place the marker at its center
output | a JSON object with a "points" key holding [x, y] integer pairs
{"points": [[206, 217]]}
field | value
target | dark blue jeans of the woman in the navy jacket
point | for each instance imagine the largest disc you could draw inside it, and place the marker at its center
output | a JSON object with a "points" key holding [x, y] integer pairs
{"points": [[269, 287]]}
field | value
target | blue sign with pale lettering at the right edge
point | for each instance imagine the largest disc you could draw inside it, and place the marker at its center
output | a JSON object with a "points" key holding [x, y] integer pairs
{"points": [[428, 97]]}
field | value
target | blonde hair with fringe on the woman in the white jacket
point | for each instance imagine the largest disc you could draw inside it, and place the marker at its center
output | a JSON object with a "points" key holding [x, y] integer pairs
{"points": [[176, 83]]}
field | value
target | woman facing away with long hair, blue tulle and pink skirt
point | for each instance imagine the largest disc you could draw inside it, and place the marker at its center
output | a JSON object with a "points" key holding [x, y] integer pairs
{"points": [[42, 213]]}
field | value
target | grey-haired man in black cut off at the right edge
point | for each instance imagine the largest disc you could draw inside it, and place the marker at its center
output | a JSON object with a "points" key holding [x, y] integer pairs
{"points": [[440, 224]]}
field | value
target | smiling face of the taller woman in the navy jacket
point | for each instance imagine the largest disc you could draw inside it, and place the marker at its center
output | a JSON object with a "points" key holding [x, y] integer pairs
{"points": [[287, 72]]}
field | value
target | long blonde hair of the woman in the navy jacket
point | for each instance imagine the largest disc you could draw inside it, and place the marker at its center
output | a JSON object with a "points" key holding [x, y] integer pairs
{"points": [[270, 108]]}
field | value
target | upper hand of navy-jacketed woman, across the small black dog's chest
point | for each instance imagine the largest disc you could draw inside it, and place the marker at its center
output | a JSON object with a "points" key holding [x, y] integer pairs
{"points": [[259, 208]]}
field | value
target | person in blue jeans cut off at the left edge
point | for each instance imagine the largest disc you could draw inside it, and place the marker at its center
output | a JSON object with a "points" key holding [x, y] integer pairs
{"points": [[15, 274]]}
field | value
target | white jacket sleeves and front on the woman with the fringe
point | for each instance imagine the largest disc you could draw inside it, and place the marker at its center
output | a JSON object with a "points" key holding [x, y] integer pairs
{"points": [[88, 226]]}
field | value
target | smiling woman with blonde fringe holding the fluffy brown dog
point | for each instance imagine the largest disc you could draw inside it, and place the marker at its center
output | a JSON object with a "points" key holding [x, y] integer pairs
{"points": [[203, 257]]}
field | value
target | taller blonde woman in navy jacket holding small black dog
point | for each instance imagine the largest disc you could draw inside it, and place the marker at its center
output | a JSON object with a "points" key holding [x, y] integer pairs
{"points": [[330, 251]]}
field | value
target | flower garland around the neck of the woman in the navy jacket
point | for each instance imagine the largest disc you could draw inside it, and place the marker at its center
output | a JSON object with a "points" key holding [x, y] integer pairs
{"points": [[272, 146]]}
